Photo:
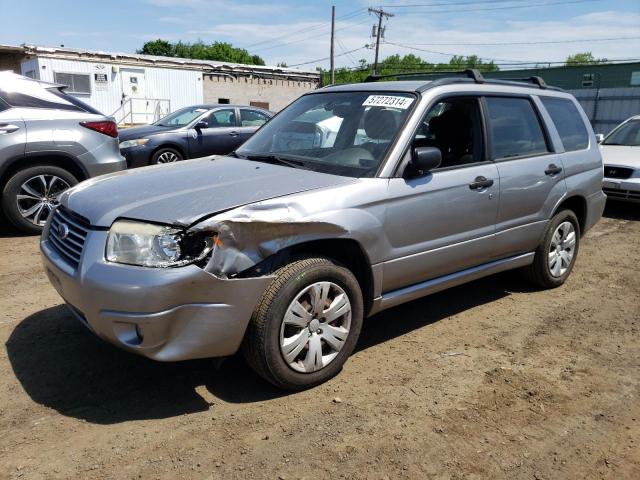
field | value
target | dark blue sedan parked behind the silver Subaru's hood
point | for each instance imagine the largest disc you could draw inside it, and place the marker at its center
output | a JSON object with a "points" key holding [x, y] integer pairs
{"points": [[191, 132]]}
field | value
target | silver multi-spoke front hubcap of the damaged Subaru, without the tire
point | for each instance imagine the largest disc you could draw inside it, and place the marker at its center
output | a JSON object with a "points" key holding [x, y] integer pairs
{"points": [[315, 327]]}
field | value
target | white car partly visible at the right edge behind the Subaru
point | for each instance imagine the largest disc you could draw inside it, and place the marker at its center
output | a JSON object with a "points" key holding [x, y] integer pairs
{"points": [[621, 156]]}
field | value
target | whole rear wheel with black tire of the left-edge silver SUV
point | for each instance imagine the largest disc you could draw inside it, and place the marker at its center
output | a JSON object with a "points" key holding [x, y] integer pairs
{"points": [[28, 184]]}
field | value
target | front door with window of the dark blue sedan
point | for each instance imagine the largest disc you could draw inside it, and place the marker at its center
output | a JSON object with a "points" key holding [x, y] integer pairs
{"points": [[219, 138]]}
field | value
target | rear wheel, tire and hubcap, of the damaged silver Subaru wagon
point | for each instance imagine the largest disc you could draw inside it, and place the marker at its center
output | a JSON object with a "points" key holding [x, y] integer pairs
{"points": [[545, 271]]}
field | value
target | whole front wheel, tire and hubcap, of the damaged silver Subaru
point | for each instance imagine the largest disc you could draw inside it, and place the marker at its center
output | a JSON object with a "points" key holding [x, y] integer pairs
{"points": [[263, 344]]}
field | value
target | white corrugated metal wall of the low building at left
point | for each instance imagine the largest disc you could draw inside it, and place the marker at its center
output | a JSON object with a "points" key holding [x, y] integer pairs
{"points": [[181, 87]]}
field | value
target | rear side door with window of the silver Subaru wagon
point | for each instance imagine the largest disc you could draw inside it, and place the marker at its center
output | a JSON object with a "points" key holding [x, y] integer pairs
{"points": [[531, 173]]}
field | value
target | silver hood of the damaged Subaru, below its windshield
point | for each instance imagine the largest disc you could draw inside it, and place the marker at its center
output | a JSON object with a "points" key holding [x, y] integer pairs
{"points": [[184, 192]]}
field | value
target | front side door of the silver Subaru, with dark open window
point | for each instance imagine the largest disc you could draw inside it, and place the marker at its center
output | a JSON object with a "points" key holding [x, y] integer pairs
{"points": [[443, 222]]}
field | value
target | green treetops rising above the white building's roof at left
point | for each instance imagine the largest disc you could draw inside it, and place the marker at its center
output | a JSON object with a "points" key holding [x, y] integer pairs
{"points": [[220, 51]]}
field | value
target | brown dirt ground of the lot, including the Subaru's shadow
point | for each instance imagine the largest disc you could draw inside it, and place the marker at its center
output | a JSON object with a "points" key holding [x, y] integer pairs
{"points": [[488, 380]]}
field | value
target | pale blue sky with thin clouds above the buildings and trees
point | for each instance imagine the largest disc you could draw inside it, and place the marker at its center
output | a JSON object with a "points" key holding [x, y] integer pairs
{"points": [[297, 32]]}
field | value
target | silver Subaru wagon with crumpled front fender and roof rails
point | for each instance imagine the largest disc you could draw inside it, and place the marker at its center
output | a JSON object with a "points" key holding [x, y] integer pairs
{"points": [[282, 249]]}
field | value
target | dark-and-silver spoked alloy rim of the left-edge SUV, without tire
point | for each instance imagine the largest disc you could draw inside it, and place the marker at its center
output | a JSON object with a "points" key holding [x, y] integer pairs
{"points": [[38, 196]]}
